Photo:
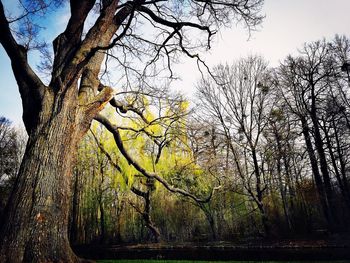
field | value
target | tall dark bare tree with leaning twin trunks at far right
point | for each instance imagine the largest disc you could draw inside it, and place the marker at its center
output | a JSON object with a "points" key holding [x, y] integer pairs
{"points": [[312, 85]]}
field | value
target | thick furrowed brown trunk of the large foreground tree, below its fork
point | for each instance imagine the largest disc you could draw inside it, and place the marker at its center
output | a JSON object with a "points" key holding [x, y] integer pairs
{"points": [[36, 225]]}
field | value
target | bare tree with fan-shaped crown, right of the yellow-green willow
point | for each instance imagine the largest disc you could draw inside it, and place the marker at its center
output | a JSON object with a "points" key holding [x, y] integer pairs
{"points": [[238, 101]]}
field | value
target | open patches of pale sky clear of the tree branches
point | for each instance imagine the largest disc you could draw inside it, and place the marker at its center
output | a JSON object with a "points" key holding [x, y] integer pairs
{"points": [[288, 24]]}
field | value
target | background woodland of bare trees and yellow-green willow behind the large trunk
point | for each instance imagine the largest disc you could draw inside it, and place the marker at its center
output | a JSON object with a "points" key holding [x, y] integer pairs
{"points": [[260, 152]]}
